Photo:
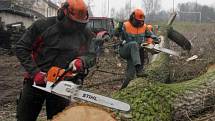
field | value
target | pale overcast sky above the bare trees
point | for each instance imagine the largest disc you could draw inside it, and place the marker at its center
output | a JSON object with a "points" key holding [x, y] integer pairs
{"points": [[100, 7]]}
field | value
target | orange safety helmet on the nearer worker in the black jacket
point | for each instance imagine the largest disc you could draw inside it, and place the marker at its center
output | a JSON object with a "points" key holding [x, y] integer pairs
{"points": [[75, 10]]}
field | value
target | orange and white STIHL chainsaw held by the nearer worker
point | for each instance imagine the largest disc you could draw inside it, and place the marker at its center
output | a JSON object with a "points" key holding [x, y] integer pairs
{"points": [[58, 85]]}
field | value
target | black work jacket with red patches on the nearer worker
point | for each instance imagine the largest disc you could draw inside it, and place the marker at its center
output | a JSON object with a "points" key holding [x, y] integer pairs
{"points": [[44, 45]]}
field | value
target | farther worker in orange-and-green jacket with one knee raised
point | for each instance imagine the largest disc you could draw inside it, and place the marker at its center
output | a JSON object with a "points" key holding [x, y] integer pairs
{"points": [[135, 33]]}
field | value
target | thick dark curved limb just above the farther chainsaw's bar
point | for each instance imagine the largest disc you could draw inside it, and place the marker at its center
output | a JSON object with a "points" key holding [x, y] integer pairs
{"points": [[179, 39]]}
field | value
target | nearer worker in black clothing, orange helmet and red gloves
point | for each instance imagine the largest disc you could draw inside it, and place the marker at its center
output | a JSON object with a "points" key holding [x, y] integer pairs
{"points": [[62, 41]]}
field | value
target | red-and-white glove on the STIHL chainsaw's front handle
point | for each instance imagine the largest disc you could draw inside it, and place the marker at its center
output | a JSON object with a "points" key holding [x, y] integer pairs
{"points": [[77, 65]]}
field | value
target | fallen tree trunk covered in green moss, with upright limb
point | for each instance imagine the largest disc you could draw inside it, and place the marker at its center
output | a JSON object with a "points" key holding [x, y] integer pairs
{"points": [[151, 100]]}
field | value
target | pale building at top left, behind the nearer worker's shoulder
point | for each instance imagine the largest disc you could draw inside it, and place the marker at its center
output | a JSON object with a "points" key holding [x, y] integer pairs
{"points": [[26, 11]]}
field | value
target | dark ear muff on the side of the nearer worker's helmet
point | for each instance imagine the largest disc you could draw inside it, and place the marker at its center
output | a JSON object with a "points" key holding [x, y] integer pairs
{"points": [[61, 13]]}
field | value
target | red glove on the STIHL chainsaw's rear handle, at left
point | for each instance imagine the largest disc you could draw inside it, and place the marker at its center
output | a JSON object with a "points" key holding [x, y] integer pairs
{"points": [[39, 78]]}
